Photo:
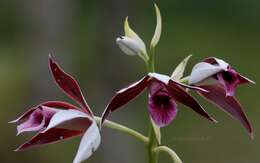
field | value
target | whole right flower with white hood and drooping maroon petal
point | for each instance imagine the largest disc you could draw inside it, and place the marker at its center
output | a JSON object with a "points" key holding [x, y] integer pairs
{"points": [[220, 80]]}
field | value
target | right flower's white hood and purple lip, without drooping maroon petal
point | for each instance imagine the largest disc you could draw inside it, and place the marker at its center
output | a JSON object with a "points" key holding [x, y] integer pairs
{"points": [[213, 70]]}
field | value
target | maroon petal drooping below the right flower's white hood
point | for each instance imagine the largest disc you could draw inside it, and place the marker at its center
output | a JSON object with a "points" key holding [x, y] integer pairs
{"points": [[229, 104]]}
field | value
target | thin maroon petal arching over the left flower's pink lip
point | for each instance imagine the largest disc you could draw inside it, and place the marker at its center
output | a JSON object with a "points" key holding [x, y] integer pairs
{"points": [[52, 104]]}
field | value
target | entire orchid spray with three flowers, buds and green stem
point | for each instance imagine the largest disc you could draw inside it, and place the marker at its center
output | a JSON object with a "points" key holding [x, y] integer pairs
{"points": [[212, 78]]}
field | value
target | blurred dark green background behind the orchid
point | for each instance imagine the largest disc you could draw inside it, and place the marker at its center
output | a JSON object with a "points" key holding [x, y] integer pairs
{"points": [[81, 35]]}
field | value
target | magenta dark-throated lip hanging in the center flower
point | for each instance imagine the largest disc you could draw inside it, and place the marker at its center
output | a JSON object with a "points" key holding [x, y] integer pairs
{"points": [[161, 106]]}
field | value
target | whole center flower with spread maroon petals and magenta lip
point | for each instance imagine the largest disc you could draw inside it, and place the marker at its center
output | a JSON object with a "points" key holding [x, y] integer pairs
{"points": [[164, 93]]}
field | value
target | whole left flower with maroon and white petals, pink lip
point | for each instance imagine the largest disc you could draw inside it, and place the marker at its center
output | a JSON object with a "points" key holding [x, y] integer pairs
{"points": [[56, 120]]}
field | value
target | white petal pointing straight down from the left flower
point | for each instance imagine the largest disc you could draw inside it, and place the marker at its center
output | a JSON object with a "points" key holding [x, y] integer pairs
{"points": [[89, 143]]}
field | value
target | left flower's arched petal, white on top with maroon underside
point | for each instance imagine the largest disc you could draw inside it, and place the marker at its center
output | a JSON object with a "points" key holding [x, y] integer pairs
{"points": [[70, 119]]}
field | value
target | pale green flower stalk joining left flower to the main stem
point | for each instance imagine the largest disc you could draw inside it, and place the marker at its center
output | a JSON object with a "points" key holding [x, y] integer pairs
{"points": [[124, 129]]}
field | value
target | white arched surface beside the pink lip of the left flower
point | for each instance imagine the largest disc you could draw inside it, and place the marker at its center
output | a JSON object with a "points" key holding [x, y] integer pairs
{"points": [[65, 115]]}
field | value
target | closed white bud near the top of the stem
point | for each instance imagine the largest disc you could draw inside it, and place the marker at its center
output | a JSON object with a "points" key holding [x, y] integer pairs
{"points": [[129, 45]]}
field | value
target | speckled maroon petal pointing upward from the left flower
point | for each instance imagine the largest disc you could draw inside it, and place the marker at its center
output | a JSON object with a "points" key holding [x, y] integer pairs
{"points": [[68, 85]]}
